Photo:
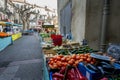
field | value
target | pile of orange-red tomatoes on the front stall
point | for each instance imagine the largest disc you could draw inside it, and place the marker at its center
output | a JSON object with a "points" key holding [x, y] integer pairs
{"points": [[60, 61]]}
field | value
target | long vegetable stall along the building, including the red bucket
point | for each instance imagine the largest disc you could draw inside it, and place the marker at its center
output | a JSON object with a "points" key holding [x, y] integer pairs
{"points": [[68, 60]]}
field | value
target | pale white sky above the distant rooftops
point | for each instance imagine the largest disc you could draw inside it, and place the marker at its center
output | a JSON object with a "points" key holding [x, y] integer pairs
{"points": [[50, 3]]}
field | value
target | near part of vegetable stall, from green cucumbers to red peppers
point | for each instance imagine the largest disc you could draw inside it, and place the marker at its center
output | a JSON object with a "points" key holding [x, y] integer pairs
{"points": [[81, 63]]}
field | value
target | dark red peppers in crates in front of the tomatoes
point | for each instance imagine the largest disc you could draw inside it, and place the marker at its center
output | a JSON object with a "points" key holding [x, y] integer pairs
{"points": [[67, 73]]}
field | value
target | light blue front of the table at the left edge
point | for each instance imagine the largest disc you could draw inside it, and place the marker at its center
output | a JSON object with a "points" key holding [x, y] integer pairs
{"points": [[4, 42]]}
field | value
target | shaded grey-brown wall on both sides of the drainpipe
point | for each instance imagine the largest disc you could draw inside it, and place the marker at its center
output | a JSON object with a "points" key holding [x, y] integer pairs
{"points": [[94, 20]]}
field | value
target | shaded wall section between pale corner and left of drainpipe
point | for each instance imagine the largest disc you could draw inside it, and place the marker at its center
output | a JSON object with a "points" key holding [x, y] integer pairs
{"points": [[93, 22]]}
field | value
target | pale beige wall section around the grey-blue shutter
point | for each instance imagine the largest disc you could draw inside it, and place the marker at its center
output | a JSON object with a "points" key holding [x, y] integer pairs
{"points": [[78, 17]]}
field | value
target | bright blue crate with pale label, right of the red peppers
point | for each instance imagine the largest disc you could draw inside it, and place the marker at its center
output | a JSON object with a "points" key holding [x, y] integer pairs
{"points": [[89, 74]]}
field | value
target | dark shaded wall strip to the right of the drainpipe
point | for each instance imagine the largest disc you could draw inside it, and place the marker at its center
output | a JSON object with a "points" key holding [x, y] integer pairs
{"points": [[113, 34]]}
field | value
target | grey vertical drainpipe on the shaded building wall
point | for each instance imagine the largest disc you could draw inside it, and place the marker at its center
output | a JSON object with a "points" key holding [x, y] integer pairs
{"points": [[104, 26]]}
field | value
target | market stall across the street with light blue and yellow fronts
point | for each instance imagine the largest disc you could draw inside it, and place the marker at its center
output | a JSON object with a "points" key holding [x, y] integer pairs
{"points": [[8, 33]]}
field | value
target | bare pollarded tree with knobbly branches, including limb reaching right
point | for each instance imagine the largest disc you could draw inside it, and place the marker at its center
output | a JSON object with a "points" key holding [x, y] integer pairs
{"points": [[26, 10]]}
